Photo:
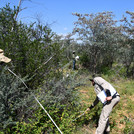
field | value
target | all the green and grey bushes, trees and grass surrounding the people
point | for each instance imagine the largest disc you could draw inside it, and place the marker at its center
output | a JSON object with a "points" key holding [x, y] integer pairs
{"points": [[43, 60]]}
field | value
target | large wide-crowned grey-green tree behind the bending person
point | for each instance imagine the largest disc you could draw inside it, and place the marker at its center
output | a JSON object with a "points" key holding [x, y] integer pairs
{"points": [[99, 34]]}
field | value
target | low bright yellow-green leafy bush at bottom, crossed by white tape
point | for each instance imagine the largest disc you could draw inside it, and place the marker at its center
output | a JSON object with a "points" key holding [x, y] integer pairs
{"points": [[42, 123]]}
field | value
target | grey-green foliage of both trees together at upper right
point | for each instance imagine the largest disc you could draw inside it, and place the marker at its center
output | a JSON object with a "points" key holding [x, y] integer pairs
{"points": [[105, 43]]}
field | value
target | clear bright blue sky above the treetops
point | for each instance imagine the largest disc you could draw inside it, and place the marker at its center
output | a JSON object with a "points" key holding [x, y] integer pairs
{"points": [[58, 13]]}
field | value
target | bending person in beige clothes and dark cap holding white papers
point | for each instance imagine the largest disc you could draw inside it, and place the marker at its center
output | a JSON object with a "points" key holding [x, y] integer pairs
{"points": [[109, 97]]}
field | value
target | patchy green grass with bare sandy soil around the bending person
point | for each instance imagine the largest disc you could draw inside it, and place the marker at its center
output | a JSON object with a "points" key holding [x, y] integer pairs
{"points": [[122, 116]]}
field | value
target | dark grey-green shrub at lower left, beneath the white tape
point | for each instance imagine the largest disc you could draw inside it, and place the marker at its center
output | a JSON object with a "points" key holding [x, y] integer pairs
{"points": [[13, 100]]}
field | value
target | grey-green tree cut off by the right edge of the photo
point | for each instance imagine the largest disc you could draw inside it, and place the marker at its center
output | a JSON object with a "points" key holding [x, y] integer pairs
{"points": [[127, 51]]}
